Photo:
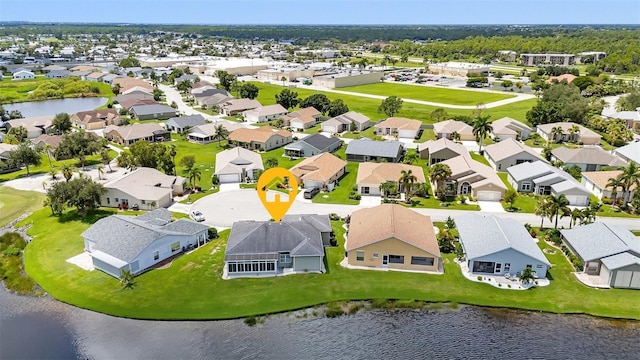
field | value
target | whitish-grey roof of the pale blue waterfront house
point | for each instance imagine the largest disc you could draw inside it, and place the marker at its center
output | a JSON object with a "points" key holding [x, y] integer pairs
{"points": [[487, 235]]}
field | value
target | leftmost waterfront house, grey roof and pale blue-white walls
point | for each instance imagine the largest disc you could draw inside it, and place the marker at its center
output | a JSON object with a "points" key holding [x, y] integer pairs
{"points": [[136, 243]]}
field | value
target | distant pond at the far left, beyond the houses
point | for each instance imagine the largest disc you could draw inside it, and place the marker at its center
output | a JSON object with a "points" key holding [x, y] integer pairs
{"points": [[52, 107]]}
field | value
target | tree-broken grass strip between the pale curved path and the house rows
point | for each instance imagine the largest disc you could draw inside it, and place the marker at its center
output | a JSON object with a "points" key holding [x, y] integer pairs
{"points": [[369, 107]]}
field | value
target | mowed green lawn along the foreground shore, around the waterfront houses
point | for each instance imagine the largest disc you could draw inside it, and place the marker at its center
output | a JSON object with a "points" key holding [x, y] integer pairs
{"points": [[192, 287]]}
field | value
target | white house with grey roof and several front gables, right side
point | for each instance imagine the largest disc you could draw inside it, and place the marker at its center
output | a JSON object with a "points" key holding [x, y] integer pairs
{"points": [[541, 178]]}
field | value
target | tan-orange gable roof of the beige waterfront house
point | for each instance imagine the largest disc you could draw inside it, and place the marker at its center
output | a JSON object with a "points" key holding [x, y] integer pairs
{"points": [[371, 225]]}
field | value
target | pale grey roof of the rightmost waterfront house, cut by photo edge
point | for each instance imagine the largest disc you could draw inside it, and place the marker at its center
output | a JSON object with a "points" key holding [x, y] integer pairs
{"points": [[599, 240]]}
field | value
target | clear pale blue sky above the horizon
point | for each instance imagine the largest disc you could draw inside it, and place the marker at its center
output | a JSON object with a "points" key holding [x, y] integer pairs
{"points": [[342, 12]]}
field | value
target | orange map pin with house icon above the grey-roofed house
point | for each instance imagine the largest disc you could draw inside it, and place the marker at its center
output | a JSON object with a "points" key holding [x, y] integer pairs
{"points": [[277, 189]]}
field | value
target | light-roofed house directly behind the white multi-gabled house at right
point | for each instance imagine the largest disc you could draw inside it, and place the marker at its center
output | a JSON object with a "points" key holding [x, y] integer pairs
{"points": [[509, 152]]}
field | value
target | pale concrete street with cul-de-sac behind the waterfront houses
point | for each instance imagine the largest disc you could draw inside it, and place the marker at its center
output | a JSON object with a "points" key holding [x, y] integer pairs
{"points": [[222, 209]]}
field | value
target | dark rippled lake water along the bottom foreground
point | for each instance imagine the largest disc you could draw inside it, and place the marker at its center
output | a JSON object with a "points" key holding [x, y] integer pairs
{"points": [[44, 328]]}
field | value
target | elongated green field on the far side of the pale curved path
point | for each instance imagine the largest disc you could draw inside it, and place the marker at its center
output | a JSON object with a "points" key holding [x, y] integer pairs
{"points": [[428, 93]]}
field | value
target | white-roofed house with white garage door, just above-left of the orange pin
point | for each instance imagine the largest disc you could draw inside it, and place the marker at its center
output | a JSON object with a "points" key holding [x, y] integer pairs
{"points": [[238, 165]]}
